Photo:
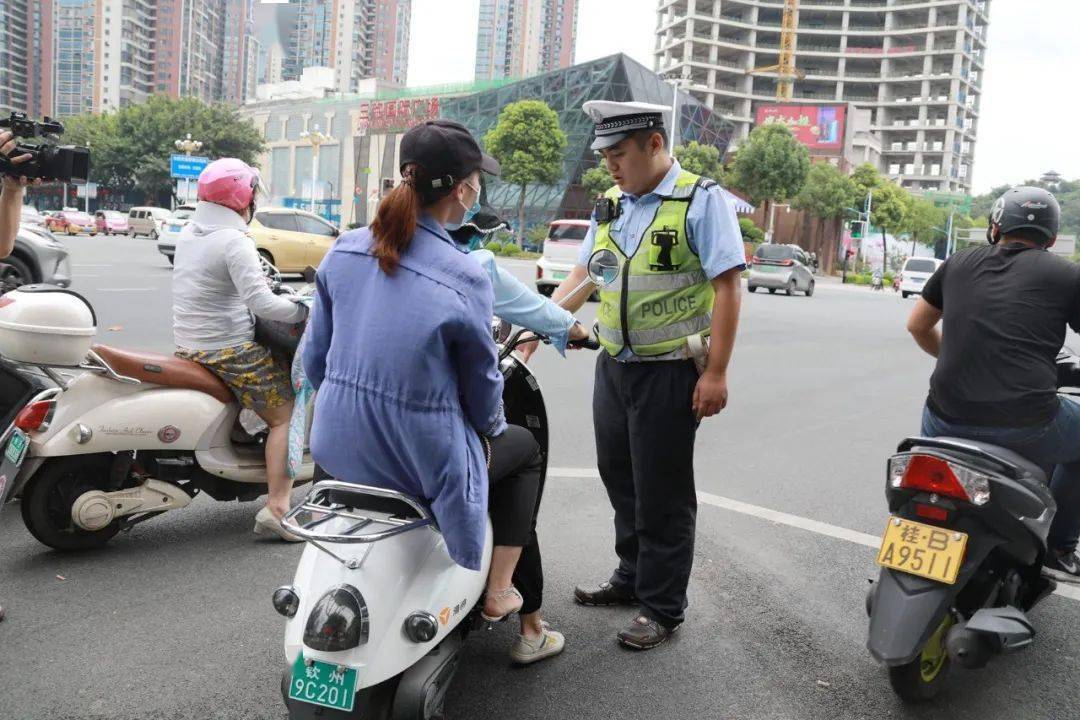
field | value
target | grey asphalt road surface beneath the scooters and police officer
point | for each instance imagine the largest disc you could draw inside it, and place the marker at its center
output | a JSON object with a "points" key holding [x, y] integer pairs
{"points": [[173, 620]]}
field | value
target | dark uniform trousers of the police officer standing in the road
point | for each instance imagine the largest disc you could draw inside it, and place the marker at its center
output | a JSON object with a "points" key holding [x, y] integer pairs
{"points": [[645, 431]]}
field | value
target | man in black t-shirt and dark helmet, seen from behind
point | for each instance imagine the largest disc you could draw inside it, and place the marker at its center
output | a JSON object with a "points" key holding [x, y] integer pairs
{"points": [[1006, 308]]}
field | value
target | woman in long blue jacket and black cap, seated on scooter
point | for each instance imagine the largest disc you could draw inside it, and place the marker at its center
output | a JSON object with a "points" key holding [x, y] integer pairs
{"points": [[410, 396]]}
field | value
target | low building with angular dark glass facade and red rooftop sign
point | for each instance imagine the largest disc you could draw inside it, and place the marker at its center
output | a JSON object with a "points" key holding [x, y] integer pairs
{"points": [[361, 161]]}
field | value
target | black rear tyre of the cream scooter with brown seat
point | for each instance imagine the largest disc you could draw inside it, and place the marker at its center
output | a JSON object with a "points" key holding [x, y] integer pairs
{"points": [[48, 499]]}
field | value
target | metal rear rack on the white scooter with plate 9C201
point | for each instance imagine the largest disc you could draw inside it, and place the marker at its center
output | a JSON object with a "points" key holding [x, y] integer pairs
{"points": [[368, 525]]}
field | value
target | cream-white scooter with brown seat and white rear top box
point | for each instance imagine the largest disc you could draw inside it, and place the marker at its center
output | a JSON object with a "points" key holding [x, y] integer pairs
{"points": [[130, 437]]}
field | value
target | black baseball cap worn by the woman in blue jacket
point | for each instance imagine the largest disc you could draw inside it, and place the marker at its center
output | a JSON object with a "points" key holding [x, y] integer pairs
{"points": [[447, 152]]}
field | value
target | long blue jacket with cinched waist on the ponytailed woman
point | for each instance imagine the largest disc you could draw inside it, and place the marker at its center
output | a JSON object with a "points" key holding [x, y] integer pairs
{"points": [[408, 377]]}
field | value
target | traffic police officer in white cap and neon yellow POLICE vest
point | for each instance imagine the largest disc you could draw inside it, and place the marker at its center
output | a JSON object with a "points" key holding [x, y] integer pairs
{"points": [[681, 248]]}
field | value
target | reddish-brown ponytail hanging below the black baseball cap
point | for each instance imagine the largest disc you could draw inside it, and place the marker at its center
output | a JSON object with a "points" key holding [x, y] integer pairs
{"points": [[397, 218]]}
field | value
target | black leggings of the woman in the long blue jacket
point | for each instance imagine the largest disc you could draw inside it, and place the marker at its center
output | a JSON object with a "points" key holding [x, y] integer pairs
{"points": [[516, 487]]}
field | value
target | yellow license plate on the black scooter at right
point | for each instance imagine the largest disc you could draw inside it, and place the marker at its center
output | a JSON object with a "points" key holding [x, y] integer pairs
{"points": [[923, 550]]}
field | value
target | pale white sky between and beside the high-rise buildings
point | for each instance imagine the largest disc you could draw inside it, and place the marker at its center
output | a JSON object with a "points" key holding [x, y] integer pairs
{"points": [[1030, 87]]}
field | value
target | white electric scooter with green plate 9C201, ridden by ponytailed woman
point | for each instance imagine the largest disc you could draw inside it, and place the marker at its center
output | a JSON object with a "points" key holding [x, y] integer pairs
{"points": [[379, 613]]}
